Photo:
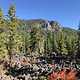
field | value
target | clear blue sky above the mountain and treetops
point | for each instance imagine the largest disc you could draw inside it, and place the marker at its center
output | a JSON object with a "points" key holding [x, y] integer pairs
{"points": [[66, 12]]}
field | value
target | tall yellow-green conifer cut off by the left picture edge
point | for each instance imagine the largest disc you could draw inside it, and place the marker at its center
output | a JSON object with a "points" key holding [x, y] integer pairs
{"points": [[2, 34]]}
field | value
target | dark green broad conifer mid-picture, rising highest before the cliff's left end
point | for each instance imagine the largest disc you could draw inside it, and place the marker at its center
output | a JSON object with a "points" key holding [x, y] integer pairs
{"points": [[34, 39]]}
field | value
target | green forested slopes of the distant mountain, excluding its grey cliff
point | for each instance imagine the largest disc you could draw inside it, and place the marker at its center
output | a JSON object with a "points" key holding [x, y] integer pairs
{"points": [[25, 26]]}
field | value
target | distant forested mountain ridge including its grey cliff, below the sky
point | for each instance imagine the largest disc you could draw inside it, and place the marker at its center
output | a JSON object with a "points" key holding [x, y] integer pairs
{"points": [[45, 27]]}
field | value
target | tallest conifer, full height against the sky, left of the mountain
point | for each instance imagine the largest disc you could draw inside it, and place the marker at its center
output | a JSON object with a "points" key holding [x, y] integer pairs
{"points": [[12, 23]]}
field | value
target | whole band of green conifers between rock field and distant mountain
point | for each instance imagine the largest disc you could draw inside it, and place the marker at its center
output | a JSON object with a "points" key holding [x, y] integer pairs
{"points": [[35, 41]]}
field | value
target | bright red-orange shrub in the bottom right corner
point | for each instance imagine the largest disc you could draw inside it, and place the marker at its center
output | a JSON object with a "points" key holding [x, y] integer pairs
{"points": [[63, 76]]}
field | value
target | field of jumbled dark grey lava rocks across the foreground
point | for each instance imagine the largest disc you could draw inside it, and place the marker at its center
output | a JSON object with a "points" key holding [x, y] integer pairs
{"points": [[34, 65]]}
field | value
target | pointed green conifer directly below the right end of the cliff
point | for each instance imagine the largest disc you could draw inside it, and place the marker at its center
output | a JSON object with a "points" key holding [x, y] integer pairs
{"points": [[62, 45]]}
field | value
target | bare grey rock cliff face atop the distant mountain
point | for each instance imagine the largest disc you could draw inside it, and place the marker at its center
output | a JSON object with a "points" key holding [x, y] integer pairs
{"points": [[50, 25]]}
